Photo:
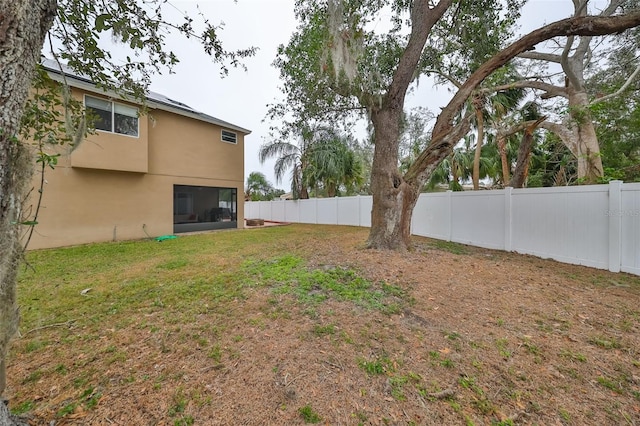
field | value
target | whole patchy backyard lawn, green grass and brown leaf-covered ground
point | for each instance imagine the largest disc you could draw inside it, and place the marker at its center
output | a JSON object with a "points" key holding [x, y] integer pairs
{"points": [[300, 324]]}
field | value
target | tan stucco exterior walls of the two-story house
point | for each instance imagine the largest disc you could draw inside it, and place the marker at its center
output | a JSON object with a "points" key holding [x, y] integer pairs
{"points": [[117, 187]]}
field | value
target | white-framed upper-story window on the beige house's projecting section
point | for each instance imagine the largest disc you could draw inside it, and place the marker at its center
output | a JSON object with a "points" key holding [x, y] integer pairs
{"points": [[113, 117]]}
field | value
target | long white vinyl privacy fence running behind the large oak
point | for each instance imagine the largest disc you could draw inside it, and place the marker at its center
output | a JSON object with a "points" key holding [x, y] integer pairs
{"points": [[597, 225]]}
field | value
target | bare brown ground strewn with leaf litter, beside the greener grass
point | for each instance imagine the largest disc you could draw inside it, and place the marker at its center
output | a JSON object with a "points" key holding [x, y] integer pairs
{"points": [[482, 337]]}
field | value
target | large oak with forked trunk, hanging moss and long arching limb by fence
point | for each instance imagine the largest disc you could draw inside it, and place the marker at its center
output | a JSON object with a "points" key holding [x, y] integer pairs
{"points": [[336, 61]]}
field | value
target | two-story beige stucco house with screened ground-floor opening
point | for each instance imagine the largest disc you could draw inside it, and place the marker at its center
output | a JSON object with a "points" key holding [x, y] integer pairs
{"points": [[171, 170]]}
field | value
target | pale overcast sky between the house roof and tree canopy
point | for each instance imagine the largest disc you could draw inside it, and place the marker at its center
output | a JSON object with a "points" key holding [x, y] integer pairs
{"points": [[242, 97]]}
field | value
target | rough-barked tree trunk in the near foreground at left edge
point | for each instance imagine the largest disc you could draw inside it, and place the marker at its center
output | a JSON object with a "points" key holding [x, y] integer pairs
{"points": [[23, 25]]}
